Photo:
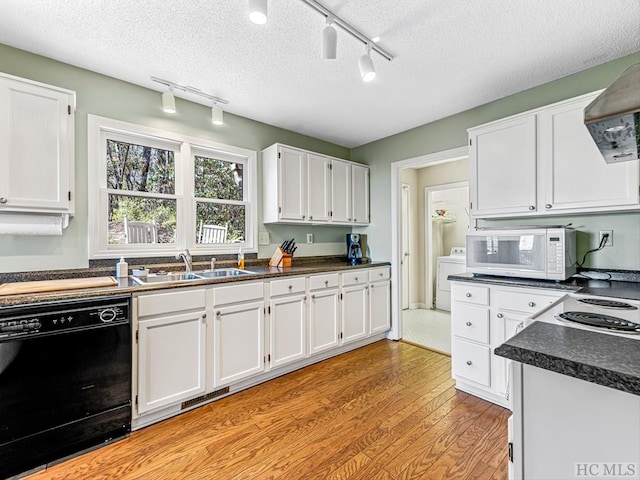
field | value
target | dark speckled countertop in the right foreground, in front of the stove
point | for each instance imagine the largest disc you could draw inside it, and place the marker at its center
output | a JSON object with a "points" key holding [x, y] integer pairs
{"points": [[609, 360]]}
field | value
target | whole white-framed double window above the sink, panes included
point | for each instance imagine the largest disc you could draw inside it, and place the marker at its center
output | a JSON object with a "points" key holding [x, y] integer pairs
{"points": [[156, 193]]}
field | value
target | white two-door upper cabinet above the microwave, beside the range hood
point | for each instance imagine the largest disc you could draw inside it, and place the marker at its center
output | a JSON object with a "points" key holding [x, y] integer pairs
{"points": [[545, 162]]}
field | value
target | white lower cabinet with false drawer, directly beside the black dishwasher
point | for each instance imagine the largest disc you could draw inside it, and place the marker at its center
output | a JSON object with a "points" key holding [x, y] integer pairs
{"points": [[171, 354]]}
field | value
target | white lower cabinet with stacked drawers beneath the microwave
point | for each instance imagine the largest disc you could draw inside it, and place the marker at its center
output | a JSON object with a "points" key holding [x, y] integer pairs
{"points": [[482, 318]]}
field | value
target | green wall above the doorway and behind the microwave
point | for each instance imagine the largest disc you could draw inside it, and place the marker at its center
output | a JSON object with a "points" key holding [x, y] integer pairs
{"points": [[451, 132]]}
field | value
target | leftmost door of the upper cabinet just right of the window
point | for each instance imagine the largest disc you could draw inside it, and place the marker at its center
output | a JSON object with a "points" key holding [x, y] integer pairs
{"points": [[292, 176]]}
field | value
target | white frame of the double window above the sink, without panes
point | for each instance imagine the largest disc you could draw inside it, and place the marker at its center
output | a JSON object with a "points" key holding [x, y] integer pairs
{"points": [[185, 148]]}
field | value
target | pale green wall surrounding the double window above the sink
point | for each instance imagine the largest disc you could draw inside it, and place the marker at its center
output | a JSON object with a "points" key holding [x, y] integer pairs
{"points": [[105, 96]]}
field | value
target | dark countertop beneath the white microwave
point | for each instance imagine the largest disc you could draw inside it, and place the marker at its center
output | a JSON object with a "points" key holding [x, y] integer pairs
{"points": [[605, 288]]}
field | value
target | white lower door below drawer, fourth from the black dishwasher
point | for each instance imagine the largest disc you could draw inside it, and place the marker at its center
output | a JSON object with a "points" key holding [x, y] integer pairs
{"points": [[324, 321]]}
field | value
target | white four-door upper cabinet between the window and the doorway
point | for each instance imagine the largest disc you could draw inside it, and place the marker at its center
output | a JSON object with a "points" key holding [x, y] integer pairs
{"points": [[305, 187]]}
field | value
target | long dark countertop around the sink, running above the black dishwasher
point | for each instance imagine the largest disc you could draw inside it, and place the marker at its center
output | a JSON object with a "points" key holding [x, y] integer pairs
{"points": [[129, 286]]}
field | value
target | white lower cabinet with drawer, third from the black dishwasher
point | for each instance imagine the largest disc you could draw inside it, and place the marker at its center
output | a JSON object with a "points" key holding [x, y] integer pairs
{"points": [[287, 322]]}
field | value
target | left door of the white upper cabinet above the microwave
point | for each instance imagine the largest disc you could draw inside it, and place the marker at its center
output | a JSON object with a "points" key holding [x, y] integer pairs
{"points": [[502, 163]]}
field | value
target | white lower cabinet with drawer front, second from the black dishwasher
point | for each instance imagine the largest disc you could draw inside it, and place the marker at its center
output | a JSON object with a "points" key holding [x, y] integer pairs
{"points": [[238, 333]]}
